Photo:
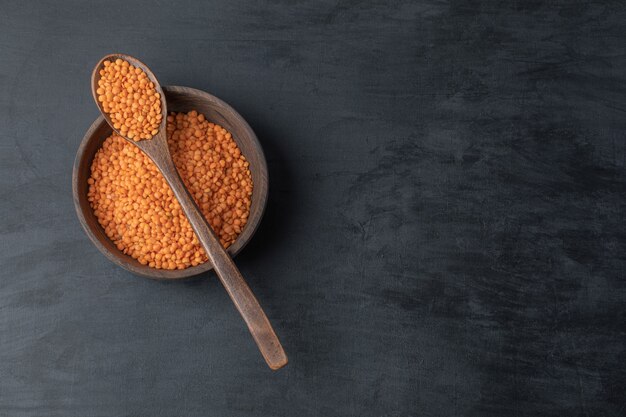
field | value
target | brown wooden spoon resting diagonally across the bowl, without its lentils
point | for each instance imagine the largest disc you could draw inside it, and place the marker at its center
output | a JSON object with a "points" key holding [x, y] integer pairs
{"points": [[158, 151]]}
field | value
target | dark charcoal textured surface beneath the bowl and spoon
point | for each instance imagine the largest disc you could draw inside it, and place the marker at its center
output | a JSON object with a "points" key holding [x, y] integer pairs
{"points": [[445, 232]]}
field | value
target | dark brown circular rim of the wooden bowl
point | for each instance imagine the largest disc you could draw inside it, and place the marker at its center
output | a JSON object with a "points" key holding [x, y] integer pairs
{"points": [[133, 265]]}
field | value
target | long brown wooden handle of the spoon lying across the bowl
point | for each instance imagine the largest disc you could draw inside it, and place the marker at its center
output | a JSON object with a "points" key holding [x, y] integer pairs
{"points": [[226, 270]]}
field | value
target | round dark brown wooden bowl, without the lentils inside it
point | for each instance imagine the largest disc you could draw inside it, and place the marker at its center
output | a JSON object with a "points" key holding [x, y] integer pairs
{"points": [[179, 99]]}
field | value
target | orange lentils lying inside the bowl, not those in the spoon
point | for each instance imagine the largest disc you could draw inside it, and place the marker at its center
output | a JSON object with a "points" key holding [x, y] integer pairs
{"points": [[138, 210]]}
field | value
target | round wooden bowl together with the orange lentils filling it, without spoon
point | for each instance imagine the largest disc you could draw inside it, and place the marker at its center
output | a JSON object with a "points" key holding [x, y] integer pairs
{"points": [[133, 218]]}
